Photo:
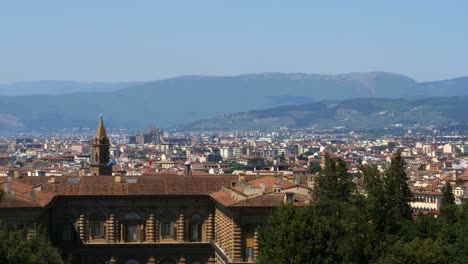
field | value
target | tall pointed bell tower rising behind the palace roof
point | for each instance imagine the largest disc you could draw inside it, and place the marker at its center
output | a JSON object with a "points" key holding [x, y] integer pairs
{"points": [[100, 157]]}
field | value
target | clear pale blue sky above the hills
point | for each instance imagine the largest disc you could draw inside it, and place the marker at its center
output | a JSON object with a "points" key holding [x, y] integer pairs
{"points": [[113, 40]]}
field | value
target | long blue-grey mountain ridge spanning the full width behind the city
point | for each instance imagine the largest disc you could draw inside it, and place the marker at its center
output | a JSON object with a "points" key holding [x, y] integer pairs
{"points": [[184, 99]]}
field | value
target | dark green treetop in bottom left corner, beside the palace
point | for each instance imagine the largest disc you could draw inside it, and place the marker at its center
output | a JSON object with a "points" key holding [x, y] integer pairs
{"points": [[15, 248]]}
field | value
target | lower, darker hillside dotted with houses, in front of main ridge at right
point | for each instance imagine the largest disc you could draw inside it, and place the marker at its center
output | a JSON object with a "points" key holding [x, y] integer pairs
{"points": [[361, 113]]}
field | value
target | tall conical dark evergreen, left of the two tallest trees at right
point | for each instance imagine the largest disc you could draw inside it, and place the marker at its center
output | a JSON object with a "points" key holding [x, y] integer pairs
{"points": [[339, 215]]}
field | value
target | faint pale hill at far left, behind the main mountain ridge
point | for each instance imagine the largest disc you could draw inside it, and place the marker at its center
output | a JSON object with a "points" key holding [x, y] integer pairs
{"points": [[60, 87]]}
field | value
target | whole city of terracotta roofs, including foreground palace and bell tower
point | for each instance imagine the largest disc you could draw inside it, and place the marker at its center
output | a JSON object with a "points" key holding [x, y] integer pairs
{"points": [[213, 188]]}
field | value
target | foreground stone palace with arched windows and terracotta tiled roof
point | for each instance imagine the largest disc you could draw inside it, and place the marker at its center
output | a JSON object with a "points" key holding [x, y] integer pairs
{"points": [[128, 220]]}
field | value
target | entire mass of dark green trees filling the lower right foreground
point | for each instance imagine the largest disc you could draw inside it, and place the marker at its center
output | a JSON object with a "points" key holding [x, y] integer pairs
{"points": [[344, 225]]}
